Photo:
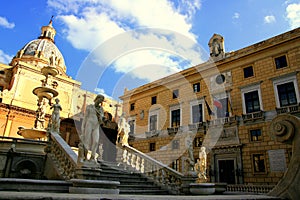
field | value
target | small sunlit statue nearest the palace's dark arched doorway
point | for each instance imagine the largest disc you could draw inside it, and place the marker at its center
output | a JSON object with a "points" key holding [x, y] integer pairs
{"points": [[200, 166]]}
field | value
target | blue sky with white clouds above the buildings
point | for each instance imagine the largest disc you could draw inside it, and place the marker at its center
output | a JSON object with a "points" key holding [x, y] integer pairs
{"points": [[118, 44]]}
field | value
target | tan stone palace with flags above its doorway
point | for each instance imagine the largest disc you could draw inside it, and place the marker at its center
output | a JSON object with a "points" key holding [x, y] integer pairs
{"points": [[226, 104]]}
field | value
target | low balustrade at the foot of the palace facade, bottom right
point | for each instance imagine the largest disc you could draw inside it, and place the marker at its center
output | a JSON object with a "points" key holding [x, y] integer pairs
{"points": [[250, 188]]}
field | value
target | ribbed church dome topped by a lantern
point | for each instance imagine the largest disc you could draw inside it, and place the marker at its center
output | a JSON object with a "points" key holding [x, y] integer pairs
{"points": [[43, 52]]}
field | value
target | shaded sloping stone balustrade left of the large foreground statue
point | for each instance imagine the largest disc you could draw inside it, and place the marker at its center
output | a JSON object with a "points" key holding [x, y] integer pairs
{"points": [[62, 155]]}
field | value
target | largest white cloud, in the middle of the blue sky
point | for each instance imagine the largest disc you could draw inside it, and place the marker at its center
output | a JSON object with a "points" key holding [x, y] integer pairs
{"points": [[89, 23]]}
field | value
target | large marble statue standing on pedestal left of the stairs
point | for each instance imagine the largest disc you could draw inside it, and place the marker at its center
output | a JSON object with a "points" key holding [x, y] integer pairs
{"points": [[93, 118]]}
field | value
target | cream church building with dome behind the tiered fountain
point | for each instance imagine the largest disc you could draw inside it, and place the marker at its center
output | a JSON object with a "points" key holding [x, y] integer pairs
{"points": [[18, 107]]}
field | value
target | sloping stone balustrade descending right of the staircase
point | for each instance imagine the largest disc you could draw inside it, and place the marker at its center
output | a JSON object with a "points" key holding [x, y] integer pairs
{"points": [[160, 173]]}
